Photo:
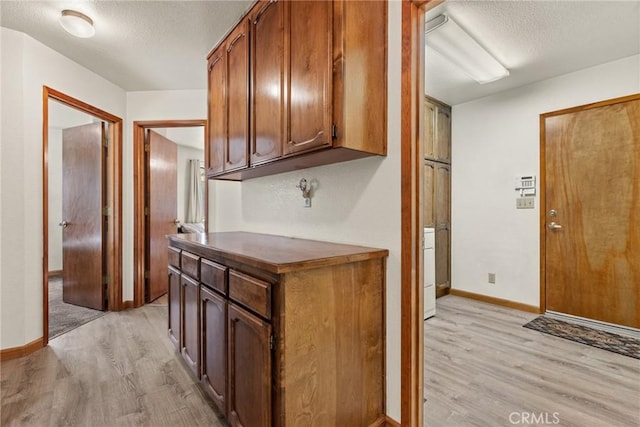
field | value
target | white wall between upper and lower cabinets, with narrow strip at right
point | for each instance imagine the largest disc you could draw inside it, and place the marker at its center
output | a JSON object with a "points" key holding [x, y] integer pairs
{"points": [[356, 202]]}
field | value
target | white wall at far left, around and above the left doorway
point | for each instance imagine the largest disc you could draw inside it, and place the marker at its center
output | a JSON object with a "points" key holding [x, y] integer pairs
{"points": [[27, 65]]}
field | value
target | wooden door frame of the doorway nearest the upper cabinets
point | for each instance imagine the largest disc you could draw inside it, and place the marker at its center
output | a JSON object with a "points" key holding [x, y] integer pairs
{"points": [[139, 183]]}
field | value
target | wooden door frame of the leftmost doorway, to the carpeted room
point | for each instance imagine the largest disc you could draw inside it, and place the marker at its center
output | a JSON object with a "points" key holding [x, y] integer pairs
{"points": [[113, 176]]}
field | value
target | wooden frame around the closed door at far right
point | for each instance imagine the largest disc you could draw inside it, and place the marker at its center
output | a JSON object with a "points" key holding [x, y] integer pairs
{"points": [[543, 182]]}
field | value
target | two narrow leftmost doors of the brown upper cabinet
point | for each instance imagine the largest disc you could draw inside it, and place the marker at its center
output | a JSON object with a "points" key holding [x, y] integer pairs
{"points": [[228, 68]]}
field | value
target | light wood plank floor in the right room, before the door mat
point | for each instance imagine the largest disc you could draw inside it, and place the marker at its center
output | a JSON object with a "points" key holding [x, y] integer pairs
{"points": [[482, 368]]}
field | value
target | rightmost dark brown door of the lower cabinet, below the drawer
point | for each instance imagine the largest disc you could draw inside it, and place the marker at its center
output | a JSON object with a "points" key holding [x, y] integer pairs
{"points": [[249, 369]]}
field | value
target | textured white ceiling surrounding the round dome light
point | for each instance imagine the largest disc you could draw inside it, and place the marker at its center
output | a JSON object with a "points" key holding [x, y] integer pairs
{"points": [[139, 45]]}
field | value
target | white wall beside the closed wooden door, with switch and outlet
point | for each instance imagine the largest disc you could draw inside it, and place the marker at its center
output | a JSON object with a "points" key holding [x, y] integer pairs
{"points": [[494, 139]]}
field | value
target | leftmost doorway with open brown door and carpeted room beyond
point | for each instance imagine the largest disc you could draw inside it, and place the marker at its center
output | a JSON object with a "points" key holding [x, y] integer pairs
{"points": [[82, 230]]}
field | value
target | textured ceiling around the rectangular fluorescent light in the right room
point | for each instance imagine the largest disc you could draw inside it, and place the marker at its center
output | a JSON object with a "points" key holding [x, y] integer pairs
{"points": [[535, 40]]}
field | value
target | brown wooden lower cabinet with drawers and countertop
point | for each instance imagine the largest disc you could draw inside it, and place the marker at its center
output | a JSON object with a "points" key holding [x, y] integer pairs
{"points": [[296, 343]]}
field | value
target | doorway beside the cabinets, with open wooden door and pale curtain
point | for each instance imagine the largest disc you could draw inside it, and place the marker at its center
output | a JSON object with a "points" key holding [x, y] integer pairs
{"points": [[168, 159]]}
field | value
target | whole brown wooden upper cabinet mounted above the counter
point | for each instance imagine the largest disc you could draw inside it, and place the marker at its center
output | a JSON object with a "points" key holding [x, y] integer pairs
{"points": [[316, 74]]}
